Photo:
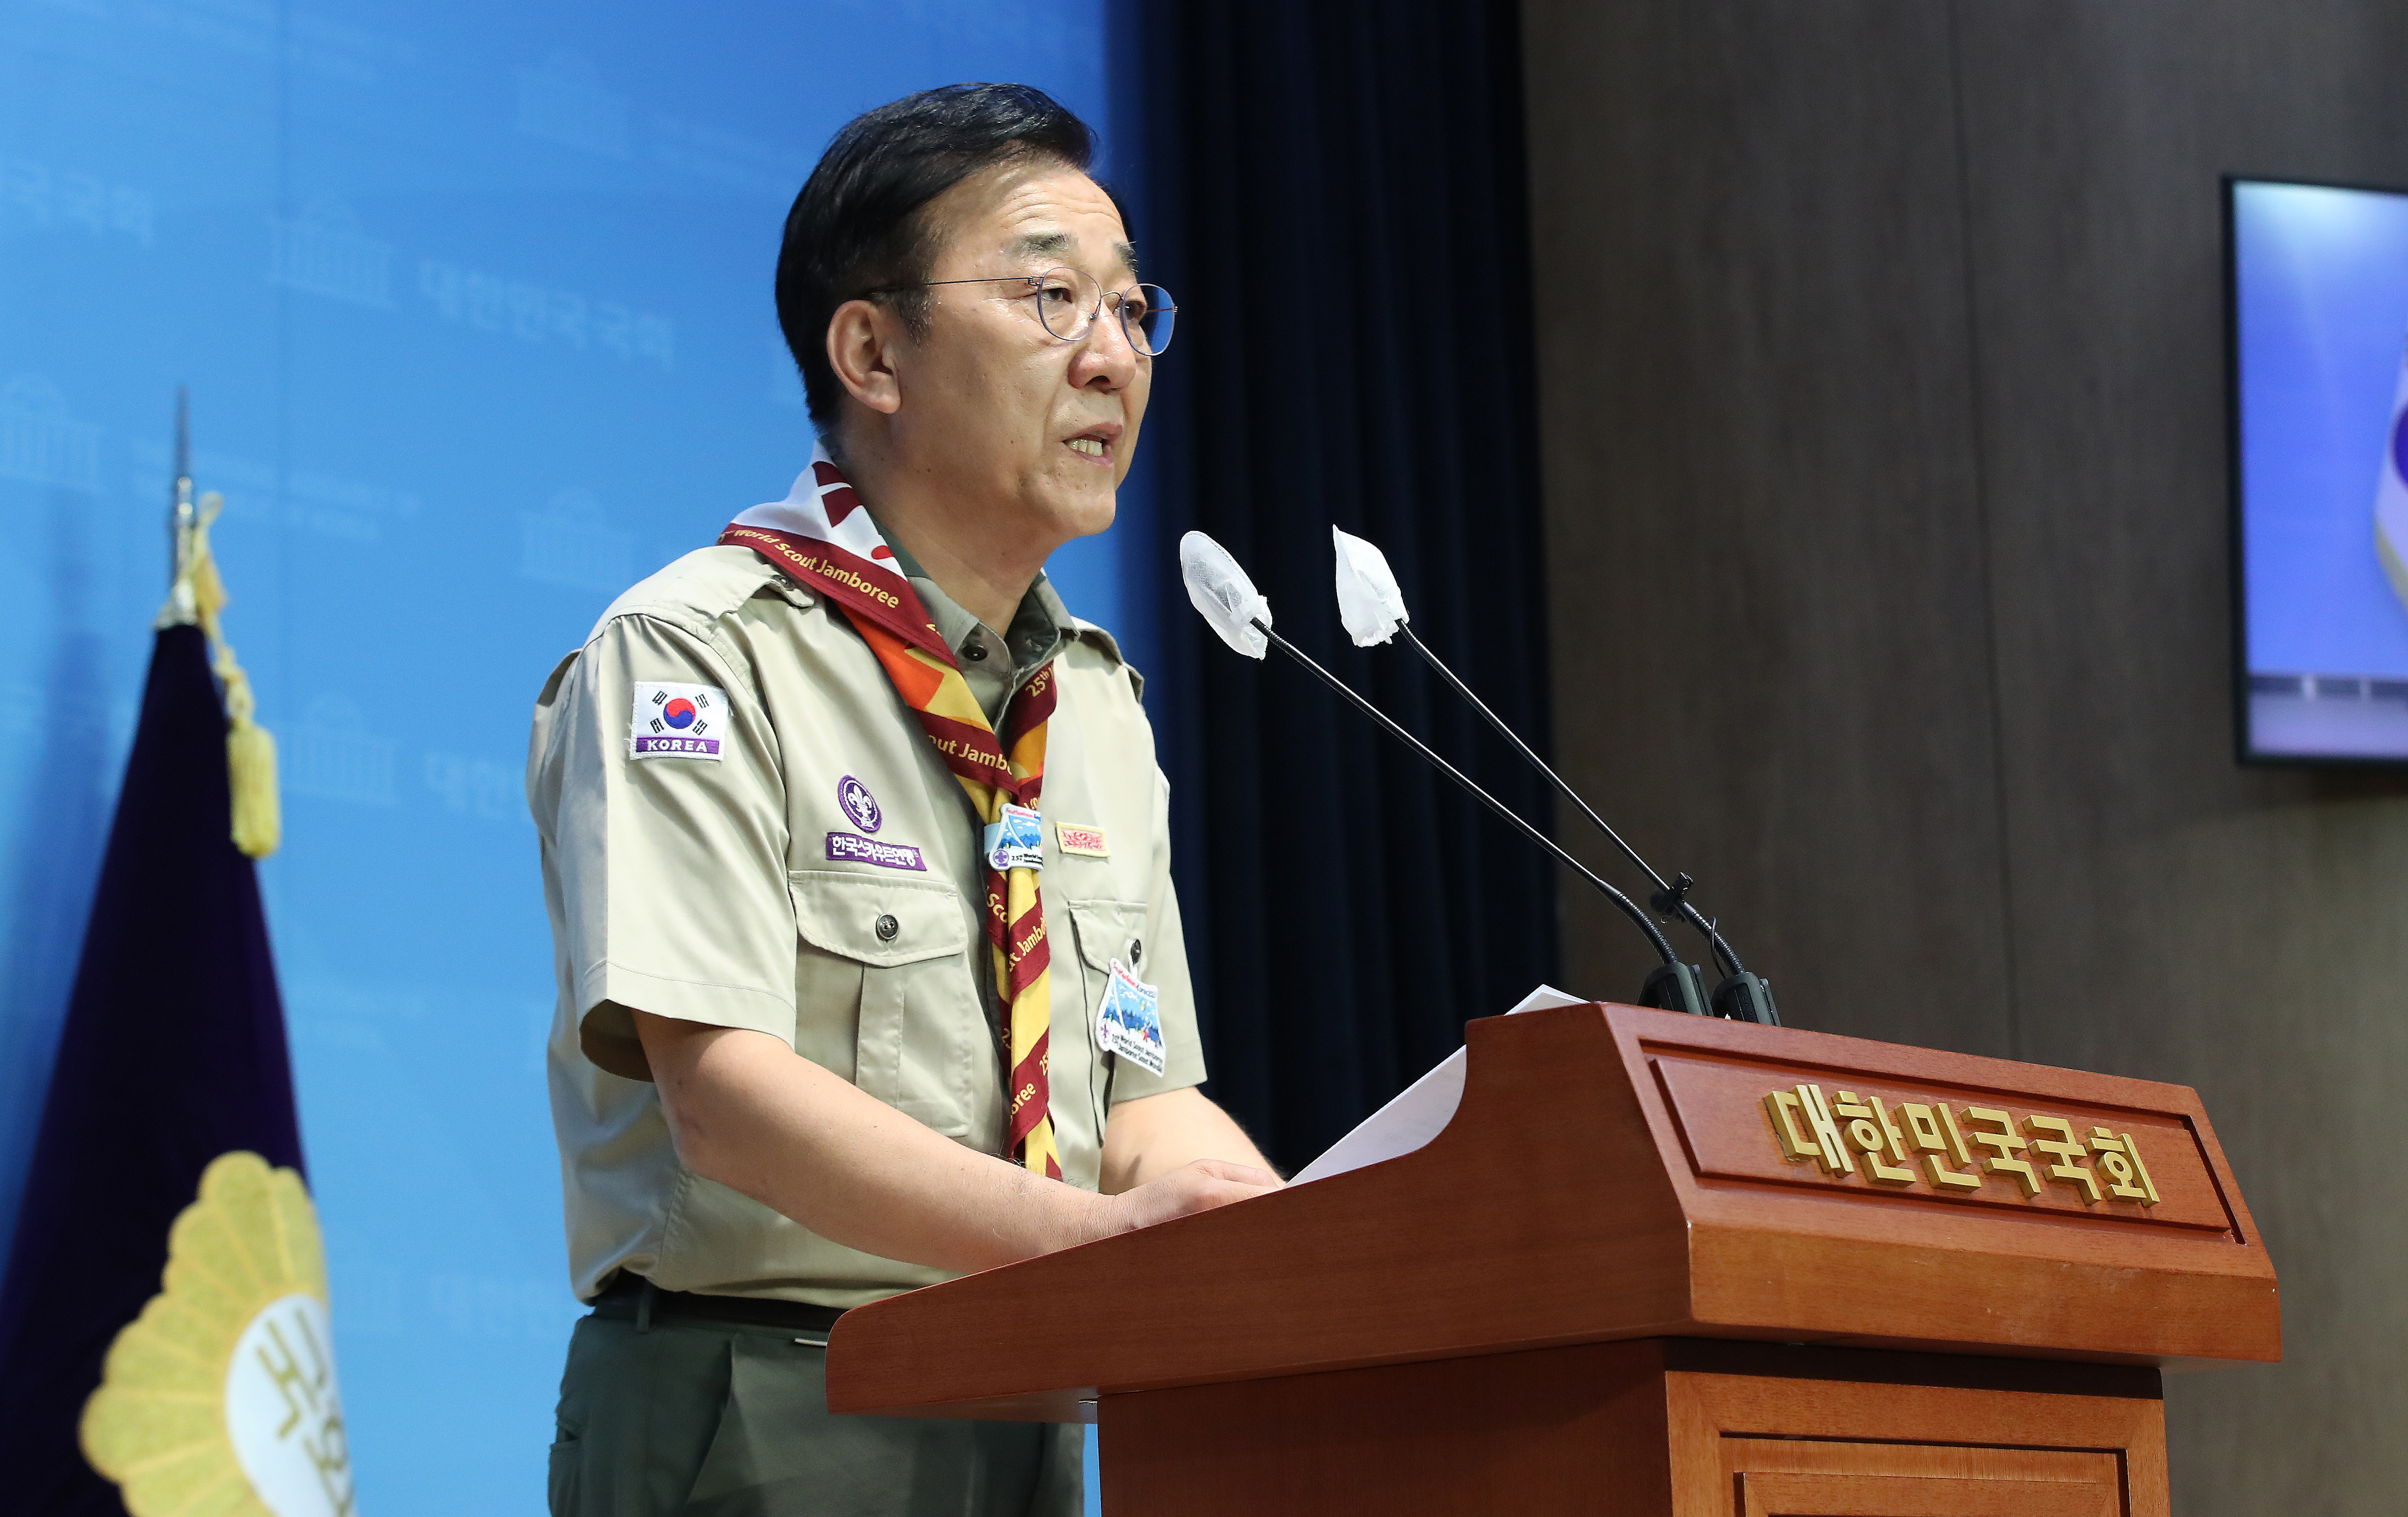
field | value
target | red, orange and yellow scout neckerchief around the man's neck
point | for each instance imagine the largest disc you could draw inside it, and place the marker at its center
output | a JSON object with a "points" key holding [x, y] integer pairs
{"points": [[825, 541]]}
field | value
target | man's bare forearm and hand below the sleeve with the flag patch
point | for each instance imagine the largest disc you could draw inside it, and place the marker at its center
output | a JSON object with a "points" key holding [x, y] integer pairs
{"points": [[796, 1138]]}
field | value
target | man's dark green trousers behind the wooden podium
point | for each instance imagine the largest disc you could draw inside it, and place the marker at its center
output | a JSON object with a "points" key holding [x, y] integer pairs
{"points": [[733, 1422]]}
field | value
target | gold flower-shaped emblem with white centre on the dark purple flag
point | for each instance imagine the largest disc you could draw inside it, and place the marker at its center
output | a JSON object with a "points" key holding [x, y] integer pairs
{"points": [[220, 1398]]}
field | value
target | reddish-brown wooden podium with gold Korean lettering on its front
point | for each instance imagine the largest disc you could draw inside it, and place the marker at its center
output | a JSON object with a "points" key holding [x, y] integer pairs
{"points": [[1655, 1265]]}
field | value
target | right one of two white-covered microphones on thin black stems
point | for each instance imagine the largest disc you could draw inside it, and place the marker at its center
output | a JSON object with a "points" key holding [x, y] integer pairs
{"points": [[1371, 606]]}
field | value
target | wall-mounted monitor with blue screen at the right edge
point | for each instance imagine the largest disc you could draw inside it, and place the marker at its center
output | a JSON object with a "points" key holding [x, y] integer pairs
{"points": [[2318, 283]]}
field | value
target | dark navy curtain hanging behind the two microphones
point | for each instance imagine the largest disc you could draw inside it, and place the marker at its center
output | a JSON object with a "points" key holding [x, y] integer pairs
{"points": [[1335, 196]]}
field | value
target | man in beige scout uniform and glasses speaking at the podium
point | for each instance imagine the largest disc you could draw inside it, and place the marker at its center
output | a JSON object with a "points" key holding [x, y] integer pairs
{"points": [[858, 861]]}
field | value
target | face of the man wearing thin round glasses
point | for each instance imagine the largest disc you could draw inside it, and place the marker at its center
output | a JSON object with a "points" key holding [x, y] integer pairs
{"points": [[998, 411]]}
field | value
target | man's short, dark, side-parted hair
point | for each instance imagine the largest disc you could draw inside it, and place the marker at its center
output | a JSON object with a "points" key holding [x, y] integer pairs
{"points": [[858, 220]]}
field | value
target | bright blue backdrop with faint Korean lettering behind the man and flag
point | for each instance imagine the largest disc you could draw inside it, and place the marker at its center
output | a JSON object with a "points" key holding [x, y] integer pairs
{"points": [[476, 309]]}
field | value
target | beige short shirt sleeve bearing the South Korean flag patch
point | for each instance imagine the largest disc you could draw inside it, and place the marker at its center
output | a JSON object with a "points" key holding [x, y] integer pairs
{"points": [[659, 777]]}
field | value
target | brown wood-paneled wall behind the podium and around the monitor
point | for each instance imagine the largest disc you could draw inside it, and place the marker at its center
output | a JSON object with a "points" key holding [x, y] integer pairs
{"points": [[1884, 449]]}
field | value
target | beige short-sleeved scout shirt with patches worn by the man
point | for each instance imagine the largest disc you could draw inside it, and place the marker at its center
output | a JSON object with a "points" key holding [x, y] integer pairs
{"points": [[704, 890]]}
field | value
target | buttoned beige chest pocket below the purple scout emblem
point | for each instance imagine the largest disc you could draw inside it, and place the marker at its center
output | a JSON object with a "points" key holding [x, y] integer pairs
{"points": [[892, 952]]}
